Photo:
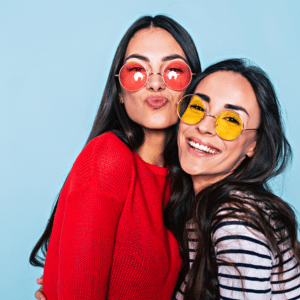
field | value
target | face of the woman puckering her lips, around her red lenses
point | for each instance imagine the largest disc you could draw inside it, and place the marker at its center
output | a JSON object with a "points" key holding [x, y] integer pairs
{"points": [[154, 106]]}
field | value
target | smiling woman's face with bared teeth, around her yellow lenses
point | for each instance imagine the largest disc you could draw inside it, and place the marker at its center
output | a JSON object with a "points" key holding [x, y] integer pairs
{"points": [[202, 153]]}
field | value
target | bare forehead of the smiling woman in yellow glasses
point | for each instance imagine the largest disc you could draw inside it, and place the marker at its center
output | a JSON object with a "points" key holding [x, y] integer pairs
{"points": [[227, 87]]}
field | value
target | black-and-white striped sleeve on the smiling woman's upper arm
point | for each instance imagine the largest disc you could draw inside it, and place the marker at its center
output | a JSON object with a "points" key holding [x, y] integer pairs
{"points": [[246, 249]]}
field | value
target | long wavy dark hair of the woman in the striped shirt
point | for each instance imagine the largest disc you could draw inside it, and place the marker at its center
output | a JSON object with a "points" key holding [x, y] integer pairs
{"points": [[272, 154]]}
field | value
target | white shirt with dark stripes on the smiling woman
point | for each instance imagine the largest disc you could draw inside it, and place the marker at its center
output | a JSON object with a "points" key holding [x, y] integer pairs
{"points": [[248, 250]]}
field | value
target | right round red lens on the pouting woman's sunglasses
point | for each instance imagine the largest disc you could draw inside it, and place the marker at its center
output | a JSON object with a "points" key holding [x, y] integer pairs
{"points": [[177, 75]]}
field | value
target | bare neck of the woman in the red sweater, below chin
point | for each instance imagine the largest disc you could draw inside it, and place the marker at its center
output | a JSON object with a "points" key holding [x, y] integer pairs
{"points": [[152, 149]]}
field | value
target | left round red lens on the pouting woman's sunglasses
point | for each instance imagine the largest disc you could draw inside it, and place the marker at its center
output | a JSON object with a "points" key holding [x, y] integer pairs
{"points": [[133, 76]]}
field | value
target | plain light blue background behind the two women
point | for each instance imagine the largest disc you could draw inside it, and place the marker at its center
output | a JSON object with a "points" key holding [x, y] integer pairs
{"points": [[55, 58]]}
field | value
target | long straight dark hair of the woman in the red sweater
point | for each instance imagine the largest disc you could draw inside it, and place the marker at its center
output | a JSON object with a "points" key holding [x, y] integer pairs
{"points": [[111, 115]]}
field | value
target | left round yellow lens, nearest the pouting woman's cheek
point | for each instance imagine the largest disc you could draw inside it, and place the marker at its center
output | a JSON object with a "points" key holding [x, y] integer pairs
{"points": [[191, 109]]}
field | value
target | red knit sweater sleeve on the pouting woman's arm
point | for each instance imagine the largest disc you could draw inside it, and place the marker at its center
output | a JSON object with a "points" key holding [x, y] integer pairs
{"points": [[81, 247]]}
